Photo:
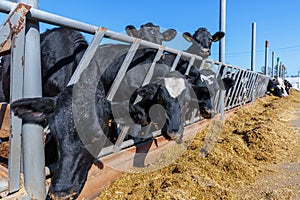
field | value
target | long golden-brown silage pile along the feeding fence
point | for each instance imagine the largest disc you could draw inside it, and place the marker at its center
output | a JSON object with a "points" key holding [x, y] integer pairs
{"points": [[252, 138]]}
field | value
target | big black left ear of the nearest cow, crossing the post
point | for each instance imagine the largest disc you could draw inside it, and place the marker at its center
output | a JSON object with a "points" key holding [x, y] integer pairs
{"points": [[33, 110]]}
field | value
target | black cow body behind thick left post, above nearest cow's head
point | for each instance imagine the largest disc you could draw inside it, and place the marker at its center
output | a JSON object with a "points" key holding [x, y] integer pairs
{"points": [[61, 51]]}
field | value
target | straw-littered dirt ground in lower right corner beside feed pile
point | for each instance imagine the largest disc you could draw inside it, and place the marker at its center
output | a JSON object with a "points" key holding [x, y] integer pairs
{"points": [[281, 180]]}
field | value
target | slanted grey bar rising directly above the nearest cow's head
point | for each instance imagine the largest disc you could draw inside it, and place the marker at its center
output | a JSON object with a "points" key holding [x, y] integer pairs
{"points": [[88, 55]]}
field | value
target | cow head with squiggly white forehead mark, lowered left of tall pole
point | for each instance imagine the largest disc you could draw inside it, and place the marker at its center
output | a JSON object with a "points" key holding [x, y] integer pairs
{"points": [[205, 88]]}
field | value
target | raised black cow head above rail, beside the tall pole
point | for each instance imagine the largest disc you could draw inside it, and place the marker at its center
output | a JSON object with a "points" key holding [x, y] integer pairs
{"points": [[202, 41]]}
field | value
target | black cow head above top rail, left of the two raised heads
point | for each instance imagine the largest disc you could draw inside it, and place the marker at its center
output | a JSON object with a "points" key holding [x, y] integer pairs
{"points": [[151, 33]]}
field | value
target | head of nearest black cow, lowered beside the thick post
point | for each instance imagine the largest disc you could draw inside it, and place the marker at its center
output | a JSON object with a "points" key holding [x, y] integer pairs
{"points": [[78, 119]]}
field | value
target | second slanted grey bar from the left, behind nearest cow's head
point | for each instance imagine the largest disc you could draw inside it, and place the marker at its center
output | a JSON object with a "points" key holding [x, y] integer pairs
{"points": [[123, 69]]}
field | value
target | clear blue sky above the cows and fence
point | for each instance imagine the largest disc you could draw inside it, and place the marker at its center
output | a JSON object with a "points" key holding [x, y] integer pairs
{"points": [[276, 21]]}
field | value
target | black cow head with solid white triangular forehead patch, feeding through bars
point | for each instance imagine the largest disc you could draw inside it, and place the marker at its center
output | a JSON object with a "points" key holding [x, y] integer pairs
{"points": [[168, 93]]}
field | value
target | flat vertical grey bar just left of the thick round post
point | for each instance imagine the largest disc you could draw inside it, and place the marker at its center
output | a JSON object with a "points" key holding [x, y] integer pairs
{"points": [[16, 92]]}
